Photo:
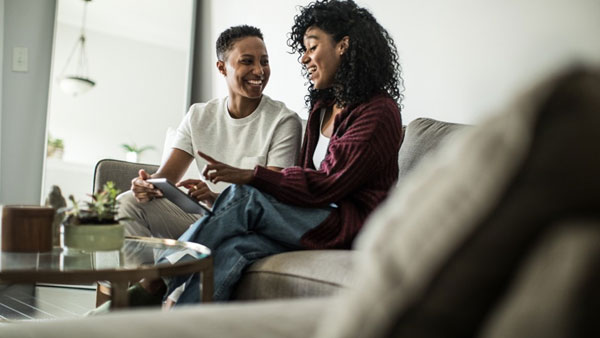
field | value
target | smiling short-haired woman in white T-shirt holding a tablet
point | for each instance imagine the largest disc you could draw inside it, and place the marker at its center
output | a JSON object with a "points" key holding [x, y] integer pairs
{"points": [[246, 128]]}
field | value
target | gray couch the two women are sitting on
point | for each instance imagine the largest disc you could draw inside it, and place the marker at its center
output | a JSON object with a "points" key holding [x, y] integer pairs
{"points": [[300, 273]]}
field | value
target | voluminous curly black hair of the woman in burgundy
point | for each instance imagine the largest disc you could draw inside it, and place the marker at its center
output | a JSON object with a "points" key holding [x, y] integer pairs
{"points": [[370, 66]]}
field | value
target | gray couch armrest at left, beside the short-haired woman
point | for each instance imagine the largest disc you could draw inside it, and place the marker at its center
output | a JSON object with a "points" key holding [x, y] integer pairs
{"points": [[120, 172]]}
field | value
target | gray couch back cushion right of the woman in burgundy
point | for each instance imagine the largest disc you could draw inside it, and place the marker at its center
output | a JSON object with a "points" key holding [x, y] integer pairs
{"points": [[422, 136]]}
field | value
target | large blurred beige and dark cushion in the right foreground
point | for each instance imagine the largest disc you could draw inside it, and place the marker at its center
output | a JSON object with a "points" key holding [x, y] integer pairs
{"points": [[439, 253]]}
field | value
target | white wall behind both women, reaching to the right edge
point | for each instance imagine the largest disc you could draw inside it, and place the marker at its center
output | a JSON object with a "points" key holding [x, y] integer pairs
{"points": [[462, 59]]}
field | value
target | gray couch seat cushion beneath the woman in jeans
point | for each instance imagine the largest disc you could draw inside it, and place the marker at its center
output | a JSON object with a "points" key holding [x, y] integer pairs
{"points": [[294, 274]]}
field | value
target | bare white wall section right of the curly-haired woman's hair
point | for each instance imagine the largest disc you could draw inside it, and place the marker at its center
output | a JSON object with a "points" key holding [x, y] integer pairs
{"points": [[463, 59]]}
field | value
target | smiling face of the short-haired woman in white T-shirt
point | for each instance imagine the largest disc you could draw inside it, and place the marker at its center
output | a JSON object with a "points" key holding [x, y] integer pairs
{"points": [[246, 68]]}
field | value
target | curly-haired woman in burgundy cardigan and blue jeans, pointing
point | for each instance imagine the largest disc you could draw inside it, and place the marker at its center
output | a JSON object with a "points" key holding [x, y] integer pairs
{"points": [[349, 158]]}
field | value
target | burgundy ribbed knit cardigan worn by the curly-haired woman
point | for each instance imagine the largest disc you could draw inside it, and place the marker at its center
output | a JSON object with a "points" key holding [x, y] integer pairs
{"points": [[359, 169]]}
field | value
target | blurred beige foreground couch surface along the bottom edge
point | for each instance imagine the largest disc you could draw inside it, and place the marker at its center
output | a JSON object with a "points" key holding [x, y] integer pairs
{"points": [[252, 319]]}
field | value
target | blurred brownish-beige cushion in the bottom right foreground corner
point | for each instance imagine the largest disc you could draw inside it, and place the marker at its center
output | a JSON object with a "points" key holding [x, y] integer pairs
{"points": [[557, 284]]}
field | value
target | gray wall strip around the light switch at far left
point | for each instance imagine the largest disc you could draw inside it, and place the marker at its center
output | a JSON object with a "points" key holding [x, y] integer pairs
{"points": [[30, 24]]}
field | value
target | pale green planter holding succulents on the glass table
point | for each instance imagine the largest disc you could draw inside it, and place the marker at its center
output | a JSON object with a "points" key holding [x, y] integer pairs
{"points": [[89, 237]]}
